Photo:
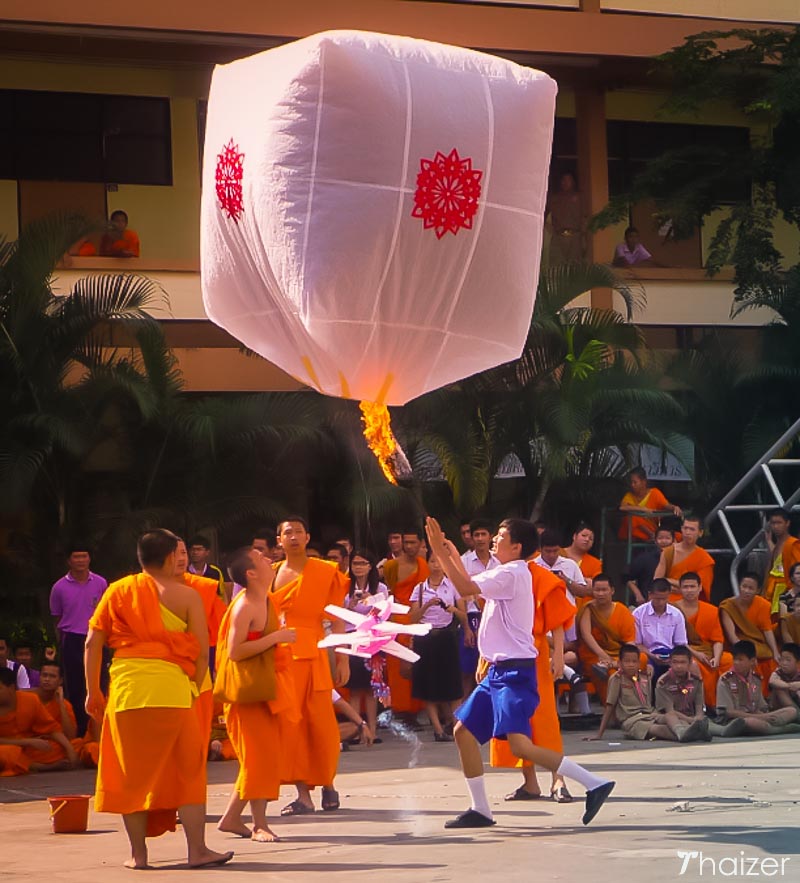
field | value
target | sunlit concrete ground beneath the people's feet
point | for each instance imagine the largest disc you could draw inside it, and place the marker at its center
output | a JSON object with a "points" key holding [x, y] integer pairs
{"points": [[734, 805]]}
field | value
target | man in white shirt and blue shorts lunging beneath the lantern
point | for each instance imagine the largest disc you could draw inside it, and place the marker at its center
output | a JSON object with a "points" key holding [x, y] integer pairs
{"points": [[503, 703]]}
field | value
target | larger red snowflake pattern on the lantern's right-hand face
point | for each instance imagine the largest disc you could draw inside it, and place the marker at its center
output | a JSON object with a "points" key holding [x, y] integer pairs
{"points": [[447, 193]]}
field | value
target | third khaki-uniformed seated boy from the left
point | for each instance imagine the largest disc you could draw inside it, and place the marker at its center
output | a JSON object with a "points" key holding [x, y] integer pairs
{"points": [[739, 695]]}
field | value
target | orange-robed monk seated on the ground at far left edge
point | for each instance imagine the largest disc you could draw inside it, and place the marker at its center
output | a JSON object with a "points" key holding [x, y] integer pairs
{"points": [[30, 739]]}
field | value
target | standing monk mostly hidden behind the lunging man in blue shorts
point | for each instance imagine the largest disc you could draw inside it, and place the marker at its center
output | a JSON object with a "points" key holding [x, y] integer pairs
{"points": [[552, 613]]}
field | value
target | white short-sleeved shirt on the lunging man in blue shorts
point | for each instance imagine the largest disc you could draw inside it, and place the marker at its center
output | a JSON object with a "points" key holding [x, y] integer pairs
{"points": [[506, 629]]}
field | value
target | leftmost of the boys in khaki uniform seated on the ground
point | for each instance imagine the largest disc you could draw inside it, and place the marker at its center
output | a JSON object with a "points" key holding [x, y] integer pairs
{"points": [[628, 700]]}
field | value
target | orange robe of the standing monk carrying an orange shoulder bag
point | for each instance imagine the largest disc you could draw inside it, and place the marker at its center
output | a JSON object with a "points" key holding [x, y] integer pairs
{"points": [[254, 728]]}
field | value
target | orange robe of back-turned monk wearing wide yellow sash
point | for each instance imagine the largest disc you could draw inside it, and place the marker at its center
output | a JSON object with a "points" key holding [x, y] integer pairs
{"points": [[151, 758]]}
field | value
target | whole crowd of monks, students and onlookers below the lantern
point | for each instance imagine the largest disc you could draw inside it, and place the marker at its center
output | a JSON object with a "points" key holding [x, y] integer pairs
{"points": [[165, 657]]}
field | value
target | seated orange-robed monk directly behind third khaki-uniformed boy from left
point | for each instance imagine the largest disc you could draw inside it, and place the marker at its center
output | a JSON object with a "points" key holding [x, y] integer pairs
{"points": [[747, 617]]}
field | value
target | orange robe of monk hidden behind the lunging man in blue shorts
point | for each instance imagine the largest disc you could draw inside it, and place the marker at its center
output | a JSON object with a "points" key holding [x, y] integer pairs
{"points": [[552, 610]]}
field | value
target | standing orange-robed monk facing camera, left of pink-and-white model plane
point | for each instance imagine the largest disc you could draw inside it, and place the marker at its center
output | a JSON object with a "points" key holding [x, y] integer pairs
{"points": [[303, 587]]}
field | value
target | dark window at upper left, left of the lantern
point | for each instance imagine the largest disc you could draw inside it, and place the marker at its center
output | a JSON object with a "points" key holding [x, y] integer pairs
{"points": [[72, 136]]}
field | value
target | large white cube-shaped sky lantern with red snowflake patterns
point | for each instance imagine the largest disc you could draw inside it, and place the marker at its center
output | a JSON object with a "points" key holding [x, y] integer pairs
{"points": [[373, 209]]}
